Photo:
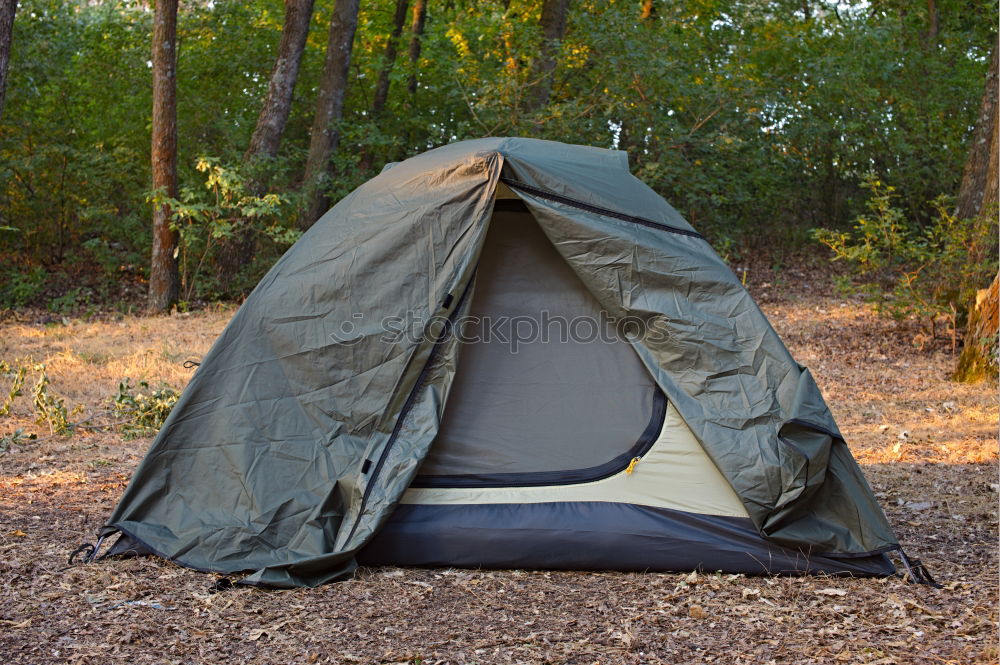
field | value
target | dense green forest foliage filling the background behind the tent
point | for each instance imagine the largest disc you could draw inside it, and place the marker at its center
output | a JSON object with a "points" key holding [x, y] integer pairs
{"points": [[756, 120]]}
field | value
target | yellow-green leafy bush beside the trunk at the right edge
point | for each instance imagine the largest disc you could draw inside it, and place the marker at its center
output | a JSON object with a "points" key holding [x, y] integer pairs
{"points": [[908, 270]]}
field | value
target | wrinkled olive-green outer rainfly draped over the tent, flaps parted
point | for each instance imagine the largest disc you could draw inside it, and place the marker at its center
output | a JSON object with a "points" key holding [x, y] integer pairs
{"points": [[305, 424]]}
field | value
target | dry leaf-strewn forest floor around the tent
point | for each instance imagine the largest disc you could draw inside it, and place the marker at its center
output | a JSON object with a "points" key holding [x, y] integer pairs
{"points": [[928, 447]]}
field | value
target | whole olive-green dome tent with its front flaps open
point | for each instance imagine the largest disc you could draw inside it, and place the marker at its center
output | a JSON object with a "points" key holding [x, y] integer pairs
{"points": [[501, 353]]}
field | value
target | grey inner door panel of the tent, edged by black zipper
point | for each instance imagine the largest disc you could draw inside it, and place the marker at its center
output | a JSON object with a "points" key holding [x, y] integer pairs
{"points": [[547, 391]]}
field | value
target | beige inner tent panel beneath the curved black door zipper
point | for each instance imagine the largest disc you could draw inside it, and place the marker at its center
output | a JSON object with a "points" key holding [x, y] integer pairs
{"points": [[675, 473]]}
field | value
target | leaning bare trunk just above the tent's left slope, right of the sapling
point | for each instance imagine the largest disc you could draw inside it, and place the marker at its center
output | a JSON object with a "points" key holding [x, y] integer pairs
{"points": [[325, 136]]}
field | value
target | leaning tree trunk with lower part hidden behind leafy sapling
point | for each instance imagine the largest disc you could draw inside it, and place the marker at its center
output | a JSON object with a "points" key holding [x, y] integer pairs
{"points": [[237, 251]]}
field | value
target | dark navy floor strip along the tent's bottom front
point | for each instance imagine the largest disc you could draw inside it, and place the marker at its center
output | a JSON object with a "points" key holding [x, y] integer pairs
{"points": [[591, 536]]}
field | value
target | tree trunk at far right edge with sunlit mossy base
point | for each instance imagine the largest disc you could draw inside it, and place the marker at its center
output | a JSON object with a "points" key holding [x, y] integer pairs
{"points": [[979, 195]]}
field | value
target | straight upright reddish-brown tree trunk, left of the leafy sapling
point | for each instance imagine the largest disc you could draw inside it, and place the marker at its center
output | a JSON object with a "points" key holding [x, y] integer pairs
{"points": [[164, 282]]}
